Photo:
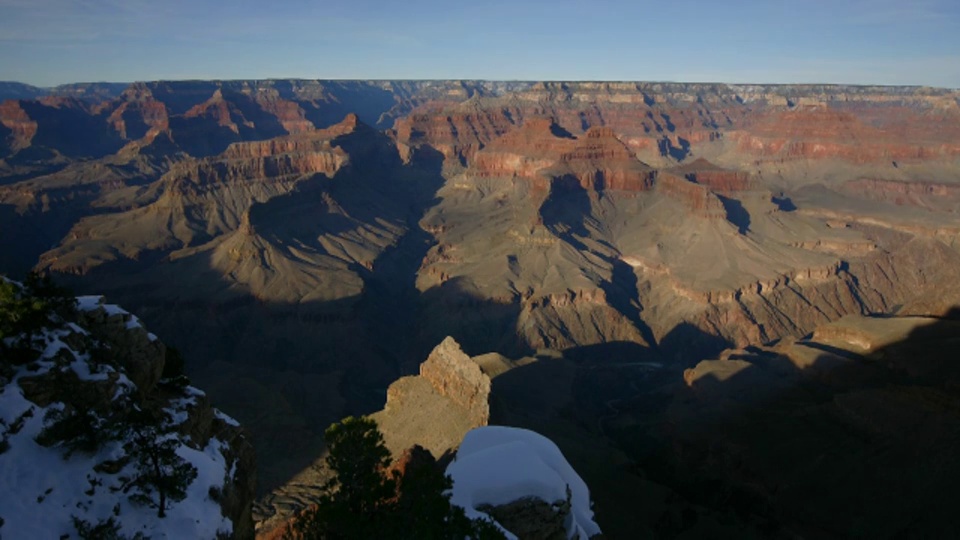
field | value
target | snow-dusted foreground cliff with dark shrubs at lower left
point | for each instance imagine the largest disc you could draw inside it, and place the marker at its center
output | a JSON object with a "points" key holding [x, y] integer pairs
{"points": [[99, 437]]}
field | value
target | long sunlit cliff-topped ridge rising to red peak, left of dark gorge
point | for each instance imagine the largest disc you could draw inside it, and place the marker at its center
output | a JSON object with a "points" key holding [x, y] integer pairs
{"points": [[198, 200]]}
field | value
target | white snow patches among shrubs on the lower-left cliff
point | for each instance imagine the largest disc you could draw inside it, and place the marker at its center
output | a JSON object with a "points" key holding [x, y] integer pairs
{"points": [[41, 489]]}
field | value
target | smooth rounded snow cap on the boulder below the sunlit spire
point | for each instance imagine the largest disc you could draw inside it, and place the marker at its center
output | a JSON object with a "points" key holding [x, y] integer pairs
{"points": [[497, 465]]}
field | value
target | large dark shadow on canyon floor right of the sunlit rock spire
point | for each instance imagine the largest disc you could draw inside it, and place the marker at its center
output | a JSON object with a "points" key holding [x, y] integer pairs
{"points": [[756, 445]]}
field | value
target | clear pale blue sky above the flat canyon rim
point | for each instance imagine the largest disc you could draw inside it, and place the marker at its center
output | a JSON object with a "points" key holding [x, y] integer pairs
{"points": [[47, 42]]}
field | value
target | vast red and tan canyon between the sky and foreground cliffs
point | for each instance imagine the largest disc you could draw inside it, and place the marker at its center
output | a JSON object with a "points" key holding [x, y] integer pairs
{"points": [[305, 244]]}
